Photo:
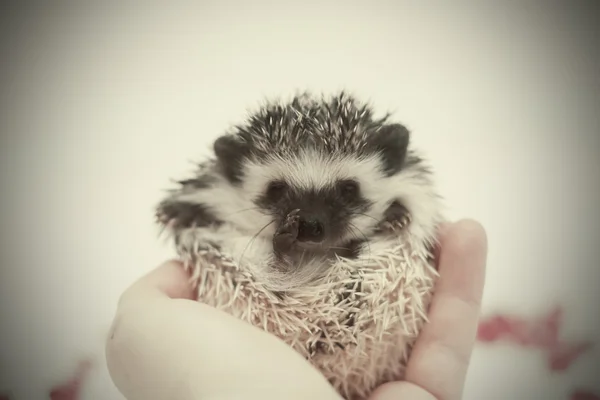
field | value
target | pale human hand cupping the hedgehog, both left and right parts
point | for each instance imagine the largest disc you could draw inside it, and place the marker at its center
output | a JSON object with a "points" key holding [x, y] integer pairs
{"points": [[165, 345]]}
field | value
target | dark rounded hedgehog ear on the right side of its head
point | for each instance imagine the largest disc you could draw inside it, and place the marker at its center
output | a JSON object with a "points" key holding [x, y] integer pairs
{"points": [[391, 142]]}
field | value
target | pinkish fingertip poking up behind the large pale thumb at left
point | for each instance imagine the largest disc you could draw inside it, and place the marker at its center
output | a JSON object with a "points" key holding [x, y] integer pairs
{"points": [[167, 280]]}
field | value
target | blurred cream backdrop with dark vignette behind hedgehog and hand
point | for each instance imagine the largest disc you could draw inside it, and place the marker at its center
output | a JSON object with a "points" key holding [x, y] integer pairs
{"points": [[100, 105]]}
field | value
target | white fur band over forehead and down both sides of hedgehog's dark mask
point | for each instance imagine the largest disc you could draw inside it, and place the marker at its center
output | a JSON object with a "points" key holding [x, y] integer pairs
{"points": [[240, 236]]}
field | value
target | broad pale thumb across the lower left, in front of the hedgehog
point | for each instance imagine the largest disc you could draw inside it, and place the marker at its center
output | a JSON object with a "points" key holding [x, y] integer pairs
{"points": [[164, 348]]}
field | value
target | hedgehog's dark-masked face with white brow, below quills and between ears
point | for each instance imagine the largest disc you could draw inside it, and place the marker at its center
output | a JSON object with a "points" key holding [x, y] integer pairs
{"points": [[326, 194]]}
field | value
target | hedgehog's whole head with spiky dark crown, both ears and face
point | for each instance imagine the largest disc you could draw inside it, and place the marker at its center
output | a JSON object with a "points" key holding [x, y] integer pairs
{"points": [[328, 164]]}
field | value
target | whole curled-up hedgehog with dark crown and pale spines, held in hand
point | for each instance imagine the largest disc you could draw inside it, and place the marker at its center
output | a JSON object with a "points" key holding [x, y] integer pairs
{"points": [[315, 221]]}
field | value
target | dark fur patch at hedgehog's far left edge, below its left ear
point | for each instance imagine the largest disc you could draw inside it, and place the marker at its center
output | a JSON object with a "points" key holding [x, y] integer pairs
{"points": [[186, 215]]}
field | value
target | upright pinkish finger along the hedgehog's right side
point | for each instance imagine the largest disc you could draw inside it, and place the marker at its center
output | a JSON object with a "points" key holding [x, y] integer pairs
{"points": [[441, 355]]}
